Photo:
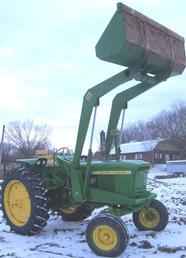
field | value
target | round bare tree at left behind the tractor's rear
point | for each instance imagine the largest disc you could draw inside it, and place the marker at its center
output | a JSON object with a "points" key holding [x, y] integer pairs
{"points": [[26, 137]]}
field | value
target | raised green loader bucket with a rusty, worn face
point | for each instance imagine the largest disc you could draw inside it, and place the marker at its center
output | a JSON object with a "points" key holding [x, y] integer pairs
{"points": [[135, 41]]}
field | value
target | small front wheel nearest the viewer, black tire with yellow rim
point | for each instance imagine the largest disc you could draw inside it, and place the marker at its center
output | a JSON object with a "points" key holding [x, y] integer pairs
{"points": [[118, 243]]}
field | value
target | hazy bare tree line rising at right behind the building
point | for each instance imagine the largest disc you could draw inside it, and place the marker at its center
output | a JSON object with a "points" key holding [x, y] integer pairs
{"points": [[169, 124]]}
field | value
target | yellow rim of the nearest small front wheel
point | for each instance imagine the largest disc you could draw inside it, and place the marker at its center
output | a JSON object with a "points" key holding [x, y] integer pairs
{"points": [[105, 237]]}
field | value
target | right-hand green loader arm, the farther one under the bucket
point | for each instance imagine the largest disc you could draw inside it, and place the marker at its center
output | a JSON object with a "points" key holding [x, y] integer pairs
{"points": [[120, 102]]}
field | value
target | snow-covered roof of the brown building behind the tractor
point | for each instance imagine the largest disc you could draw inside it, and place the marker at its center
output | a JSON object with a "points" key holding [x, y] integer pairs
{"points": [[138, 147]]}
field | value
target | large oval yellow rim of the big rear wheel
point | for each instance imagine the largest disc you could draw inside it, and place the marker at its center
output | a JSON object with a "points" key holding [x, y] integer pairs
{"points": [[17, 203]]}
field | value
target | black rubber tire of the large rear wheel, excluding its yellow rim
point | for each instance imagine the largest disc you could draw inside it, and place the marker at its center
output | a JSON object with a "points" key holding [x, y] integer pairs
{"points": [[37, 198]]}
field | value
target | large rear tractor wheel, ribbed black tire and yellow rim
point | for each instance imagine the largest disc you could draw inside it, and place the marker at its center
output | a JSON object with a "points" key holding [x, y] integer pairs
{"points": [[24, 202]]}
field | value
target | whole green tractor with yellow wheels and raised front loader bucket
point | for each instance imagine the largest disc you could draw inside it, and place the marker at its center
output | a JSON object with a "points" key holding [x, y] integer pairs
{"points": [[74, 187]]}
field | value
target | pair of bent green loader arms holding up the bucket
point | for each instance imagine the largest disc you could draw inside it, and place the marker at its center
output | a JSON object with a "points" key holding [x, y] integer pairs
{"points": [[91, 100]]}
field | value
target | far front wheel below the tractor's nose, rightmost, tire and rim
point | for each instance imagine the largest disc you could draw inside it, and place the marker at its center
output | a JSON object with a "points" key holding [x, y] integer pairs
{"points": [[156, 217]]}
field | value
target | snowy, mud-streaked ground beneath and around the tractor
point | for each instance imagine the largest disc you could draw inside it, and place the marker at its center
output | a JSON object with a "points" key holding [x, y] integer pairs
{"points": [[67, 240]]}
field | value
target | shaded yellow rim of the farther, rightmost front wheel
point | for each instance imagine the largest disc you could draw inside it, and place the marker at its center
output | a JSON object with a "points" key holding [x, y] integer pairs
{"points": [[149, 218]]}
